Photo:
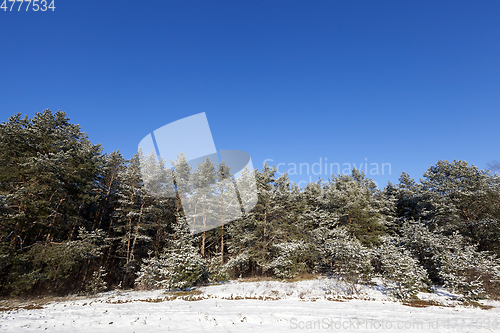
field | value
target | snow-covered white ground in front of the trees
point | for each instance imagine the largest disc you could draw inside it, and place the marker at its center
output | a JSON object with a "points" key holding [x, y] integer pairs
{"points": [[265, 306]]}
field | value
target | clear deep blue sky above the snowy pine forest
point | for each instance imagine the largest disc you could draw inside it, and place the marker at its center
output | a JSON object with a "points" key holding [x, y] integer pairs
{"points": [[387, 81]]}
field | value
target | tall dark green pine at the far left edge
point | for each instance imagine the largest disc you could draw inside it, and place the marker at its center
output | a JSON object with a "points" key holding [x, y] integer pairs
{"points": [[48, 168]]}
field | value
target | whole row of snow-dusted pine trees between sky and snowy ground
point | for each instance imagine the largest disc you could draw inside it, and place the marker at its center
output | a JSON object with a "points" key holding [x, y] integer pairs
{"points": [[73, 219]]}
